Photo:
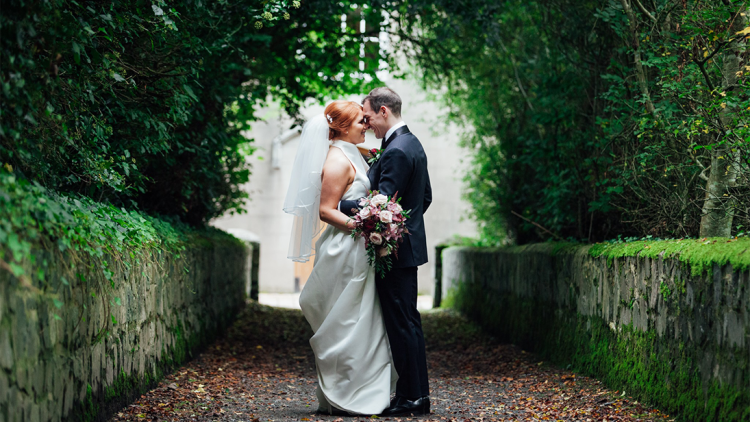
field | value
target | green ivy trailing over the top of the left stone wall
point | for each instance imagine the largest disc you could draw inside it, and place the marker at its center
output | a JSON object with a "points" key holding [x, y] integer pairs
{"points": [[34, 219]]}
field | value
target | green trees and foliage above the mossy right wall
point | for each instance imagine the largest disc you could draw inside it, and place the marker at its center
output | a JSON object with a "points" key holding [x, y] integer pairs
{"points": [[590, 119]]}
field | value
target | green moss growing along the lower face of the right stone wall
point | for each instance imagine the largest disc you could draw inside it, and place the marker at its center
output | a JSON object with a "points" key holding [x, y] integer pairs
{"points": [[650, 370]]}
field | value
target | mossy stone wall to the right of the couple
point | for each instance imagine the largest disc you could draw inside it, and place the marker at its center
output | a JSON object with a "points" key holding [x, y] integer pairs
{"points": [[646, 326]]}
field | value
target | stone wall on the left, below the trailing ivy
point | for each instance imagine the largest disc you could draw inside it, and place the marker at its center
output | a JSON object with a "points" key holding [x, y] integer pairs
{"points": [[79, 347]]}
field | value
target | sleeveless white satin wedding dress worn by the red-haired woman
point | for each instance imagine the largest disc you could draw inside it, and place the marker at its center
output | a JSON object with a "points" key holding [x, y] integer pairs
{"points": [[339, 300]]}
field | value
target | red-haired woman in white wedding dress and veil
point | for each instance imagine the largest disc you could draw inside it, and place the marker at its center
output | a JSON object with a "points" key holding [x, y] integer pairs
{"points": [[352, 355]]}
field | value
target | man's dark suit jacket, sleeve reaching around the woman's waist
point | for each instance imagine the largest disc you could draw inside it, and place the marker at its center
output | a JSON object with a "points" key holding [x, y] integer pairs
{"points": [[402, 169]]}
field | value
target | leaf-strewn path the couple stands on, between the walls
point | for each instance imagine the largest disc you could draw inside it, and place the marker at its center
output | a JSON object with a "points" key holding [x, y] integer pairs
{"points": [[263, 370]]}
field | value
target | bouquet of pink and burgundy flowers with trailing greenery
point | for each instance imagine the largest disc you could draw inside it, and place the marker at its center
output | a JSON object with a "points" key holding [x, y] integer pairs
{"points": [[382, 223]]}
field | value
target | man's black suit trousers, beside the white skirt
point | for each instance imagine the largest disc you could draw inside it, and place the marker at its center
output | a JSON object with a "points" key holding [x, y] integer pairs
{"points": [[398, 300]]}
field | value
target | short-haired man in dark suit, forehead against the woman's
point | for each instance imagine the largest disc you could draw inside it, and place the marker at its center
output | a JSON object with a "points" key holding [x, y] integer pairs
{"points": [[402, 170]]}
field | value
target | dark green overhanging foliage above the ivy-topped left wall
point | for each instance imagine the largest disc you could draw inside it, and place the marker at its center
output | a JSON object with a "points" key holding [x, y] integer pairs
{"points": [[141, 104]]}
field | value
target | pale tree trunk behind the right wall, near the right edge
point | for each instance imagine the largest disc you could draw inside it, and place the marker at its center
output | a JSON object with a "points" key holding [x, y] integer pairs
{"points": [[718, 207]]}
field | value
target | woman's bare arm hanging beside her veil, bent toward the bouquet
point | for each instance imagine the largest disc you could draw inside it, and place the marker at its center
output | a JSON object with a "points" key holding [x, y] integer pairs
{"points": [[337, 175]]}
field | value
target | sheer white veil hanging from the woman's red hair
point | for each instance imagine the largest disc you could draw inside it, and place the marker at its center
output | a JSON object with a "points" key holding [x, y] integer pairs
{"points": [[303, 197]]}
